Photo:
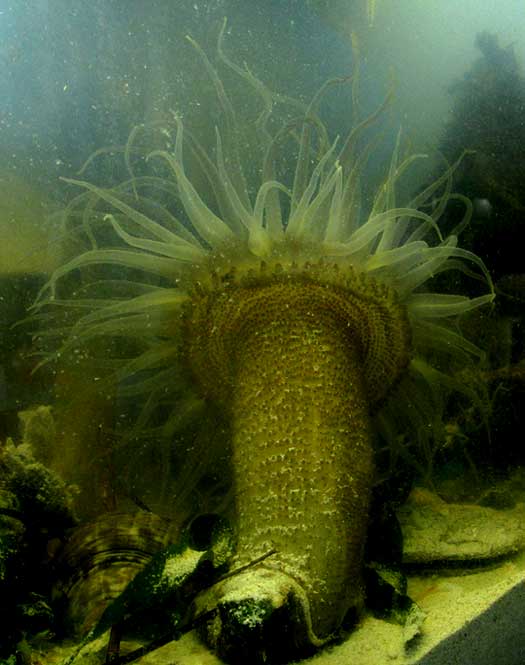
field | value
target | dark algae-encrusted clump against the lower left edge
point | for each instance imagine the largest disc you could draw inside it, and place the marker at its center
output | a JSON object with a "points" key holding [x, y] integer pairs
{"points": [[35, 508]]}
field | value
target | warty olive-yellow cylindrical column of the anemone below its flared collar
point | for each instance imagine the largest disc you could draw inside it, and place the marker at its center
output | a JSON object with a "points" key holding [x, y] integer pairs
{"points": [[302, 457]]}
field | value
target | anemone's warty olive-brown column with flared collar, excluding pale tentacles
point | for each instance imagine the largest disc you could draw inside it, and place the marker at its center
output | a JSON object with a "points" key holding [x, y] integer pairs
{"points": [[298, 356]]}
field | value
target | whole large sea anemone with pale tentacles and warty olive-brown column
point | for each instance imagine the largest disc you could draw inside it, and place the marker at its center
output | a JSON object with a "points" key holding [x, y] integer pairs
{"points": [[285, 309]]}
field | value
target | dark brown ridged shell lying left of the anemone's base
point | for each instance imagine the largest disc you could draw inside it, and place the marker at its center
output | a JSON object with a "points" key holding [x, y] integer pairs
{"points": [[101, 557]]}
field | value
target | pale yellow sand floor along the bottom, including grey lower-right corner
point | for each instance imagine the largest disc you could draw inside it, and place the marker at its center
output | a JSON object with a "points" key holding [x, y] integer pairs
{"points": [[474, 617]]}
